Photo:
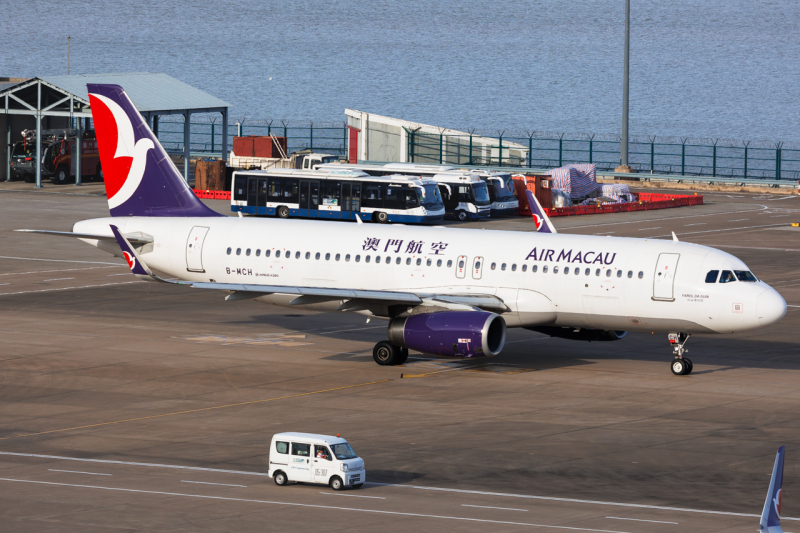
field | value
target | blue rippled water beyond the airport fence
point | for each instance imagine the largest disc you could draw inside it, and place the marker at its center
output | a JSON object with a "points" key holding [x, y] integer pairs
{"points": [[715, 68]]}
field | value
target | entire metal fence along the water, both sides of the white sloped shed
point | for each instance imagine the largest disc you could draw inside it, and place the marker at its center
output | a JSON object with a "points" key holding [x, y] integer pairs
{"points": [[659, 155]]}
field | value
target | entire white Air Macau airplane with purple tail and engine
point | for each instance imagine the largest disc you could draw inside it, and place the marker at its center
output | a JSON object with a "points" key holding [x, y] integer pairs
{"points": [[445, 291]]}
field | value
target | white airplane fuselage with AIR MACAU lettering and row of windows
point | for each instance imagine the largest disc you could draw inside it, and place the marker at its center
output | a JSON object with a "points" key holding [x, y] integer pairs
{"points": [[607, 283]]}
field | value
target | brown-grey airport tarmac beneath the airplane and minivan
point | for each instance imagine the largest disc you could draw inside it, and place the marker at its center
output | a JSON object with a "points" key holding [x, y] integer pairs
{"points": [[136, 406]]}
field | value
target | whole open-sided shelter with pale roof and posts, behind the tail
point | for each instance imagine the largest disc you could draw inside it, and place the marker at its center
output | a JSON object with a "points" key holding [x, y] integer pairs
{"points": [[63, 102]]}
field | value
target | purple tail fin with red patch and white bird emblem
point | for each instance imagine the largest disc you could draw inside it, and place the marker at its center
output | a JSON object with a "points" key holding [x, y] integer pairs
{"points": [[140, 178]]}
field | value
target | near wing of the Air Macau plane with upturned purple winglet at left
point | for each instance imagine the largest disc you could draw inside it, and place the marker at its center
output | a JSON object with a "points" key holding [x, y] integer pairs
{"points": [[377, 302]]}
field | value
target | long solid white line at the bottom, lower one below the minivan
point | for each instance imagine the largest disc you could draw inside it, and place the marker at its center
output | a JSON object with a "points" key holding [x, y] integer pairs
{"points": [[310, 506]]}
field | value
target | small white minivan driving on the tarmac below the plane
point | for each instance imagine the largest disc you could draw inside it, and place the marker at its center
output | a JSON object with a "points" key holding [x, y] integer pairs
{"points": [[310, 458]]}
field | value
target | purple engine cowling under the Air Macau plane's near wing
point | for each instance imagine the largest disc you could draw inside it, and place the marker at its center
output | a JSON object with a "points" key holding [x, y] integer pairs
{"points": [[450, 333]]}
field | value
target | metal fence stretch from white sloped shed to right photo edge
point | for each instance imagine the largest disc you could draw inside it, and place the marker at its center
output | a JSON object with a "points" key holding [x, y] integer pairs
{"points": [[697, 157]]}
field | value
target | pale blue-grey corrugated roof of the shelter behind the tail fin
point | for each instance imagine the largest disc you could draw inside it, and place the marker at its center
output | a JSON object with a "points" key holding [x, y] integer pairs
{"points": [[149, 91]]}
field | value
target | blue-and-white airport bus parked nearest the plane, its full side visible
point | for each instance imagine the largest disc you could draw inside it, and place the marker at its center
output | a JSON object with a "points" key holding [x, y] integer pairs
{"points": [[335, 194]]}
